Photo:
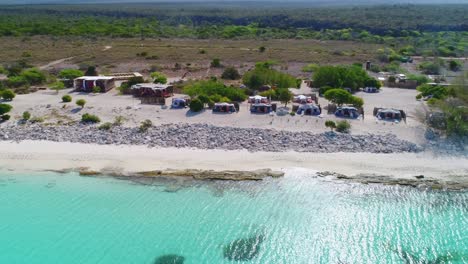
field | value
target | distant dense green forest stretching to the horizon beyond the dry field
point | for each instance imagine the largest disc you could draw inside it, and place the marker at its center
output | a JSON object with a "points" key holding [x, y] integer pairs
{"points": [[411, 29]]}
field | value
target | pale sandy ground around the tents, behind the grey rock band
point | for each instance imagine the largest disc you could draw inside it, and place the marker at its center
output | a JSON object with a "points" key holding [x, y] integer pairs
{"points": [[107, 106]]}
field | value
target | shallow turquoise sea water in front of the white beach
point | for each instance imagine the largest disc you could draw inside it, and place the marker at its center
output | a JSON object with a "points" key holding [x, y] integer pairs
{"points": [[64, 218]]}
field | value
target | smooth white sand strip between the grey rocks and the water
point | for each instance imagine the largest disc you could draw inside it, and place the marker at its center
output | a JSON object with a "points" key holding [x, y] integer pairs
{"points": [[443, 172]]}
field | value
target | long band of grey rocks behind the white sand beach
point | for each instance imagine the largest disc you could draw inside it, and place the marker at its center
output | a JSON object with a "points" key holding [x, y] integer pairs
{"points": [[205, 136]]}
